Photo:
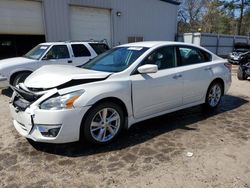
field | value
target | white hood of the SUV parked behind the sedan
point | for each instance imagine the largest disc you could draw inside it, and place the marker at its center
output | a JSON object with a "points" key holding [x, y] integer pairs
{"points": [[5, 63]]}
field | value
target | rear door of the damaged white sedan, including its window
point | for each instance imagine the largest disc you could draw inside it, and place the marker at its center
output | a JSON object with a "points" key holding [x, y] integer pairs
{"points": [[196, 69]]}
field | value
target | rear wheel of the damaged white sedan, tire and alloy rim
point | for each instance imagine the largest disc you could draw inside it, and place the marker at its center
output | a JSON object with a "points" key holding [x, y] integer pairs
{"points": [[213, 96]]}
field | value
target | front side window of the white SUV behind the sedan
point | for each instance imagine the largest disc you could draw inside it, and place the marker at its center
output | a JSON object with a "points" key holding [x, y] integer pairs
{"points": [[58, 52]]}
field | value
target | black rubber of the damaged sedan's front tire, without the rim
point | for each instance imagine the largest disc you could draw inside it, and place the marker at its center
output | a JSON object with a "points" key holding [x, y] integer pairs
{"points": [[86, 135]]}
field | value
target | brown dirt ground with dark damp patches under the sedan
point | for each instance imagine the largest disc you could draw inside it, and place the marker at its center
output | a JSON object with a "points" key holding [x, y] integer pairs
{"points": [[151, 154]]}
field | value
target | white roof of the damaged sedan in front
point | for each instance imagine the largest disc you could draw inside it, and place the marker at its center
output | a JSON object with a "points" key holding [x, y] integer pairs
{"points": [[150, 44]]}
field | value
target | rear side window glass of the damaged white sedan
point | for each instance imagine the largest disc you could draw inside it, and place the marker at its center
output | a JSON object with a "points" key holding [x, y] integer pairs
{"points": [[192, 55]]}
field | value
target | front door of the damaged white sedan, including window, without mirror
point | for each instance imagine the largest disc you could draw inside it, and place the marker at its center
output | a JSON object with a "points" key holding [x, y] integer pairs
{"points": [[156, 92]]}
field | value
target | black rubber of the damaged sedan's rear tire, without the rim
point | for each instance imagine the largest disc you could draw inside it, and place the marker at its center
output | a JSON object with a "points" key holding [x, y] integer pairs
{"points": [[207, 104]]}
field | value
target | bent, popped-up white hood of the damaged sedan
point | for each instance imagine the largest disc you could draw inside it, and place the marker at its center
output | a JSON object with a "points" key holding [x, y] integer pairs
{"points": [[51, 76]]}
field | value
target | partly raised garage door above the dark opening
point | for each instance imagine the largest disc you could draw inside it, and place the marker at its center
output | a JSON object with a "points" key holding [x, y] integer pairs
{"points": [[21, 17]]}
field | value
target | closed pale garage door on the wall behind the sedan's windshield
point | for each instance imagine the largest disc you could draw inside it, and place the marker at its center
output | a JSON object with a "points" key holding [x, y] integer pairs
{"points": [[90, 23]]}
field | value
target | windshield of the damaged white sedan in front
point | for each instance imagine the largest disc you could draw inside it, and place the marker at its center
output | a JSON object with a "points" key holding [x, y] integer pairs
{"points": [[115, 60]]}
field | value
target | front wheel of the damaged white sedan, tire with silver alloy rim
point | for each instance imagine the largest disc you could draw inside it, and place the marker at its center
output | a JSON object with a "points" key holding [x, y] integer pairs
{"points": [[95, 131]]}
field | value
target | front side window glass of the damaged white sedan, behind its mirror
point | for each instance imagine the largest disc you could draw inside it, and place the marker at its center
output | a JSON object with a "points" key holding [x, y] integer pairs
{"points": [[163, 57]]}
